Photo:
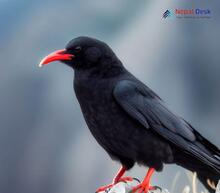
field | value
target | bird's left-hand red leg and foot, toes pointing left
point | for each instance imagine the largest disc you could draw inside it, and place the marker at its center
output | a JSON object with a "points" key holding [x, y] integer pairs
{"points": [[116, 179]]}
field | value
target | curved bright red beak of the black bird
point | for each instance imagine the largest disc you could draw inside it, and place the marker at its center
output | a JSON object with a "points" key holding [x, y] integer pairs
{"points": [[56, 56]]}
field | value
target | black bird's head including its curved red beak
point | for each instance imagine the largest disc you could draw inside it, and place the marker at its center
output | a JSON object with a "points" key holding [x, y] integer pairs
{"points": [[84, 53]]}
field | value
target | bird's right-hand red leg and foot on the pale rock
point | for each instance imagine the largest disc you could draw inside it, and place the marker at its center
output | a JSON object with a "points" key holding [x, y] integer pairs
{"points": [[145, 185]]}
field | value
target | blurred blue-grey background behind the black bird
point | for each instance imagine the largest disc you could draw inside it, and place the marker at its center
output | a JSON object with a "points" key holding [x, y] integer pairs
{"points": [[45, 145]]}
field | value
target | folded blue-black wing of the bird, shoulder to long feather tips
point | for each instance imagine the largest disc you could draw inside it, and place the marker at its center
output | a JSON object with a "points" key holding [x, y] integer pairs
{"points": [[148, 109]]}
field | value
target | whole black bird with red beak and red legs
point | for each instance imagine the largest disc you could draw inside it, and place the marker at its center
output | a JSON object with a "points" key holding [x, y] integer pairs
{"points": [[129, 120]]}
